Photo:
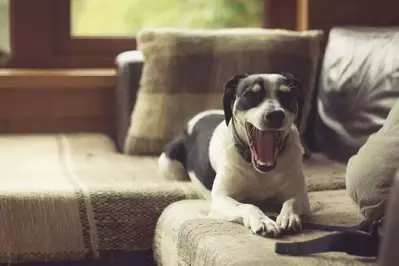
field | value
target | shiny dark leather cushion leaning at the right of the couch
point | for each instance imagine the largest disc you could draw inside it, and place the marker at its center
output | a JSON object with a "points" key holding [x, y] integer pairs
{"points": [[358, 85]]}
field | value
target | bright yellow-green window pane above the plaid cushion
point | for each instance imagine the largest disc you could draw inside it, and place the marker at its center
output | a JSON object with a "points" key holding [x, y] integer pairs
{"points": [[126, 17]]}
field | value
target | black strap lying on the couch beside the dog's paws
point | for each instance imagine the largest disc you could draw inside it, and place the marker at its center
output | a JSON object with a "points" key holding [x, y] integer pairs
{"points": [[360, 240]]}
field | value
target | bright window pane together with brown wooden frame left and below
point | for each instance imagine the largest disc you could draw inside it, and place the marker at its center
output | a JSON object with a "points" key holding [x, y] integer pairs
{"points": [[90, 33]]}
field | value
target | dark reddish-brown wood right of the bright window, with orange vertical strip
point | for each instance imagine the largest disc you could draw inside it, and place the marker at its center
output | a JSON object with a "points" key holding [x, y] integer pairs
{"points": [[326, 14]]}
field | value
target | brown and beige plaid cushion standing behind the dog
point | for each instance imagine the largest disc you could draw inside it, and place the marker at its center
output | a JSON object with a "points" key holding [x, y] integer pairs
{"points": [[185, 72]]}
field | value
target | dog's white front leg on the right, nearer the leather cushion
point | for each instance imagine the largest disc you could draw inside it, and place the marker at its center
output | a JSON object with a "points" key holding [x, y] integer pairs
{"points": [[293, 208]]}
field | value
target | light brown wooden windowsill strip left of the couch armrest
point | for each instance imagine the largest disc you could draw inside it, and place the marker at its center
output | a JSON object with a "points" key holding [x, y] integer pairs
{"points": [[62, 78]]}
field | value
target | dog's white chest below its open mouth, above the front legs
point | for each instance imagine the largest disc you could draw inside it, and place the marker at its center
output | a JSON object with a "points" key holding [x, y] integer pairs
{"points": [[240, 180]]}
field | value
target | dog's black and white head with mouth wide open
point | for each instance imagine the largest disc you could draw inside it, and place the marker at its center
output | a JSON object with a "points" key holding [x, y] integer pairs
{"points": [[264, 108]]}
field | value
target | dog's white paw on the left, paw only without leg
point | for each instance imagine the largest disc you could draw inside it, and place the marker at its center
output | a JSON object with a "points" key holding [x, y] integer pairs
{"points": [[262, 226]]}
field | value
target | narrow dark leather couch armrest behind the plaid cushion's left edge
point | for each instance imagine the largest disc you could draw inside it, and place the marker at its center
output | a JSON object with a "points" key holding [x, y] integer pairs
{"points": [[129, 65]]}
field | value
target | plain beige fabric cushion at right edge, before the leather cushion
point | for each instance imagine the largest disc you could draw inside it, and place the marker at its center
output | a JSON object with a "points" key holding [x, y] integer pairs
{"points": [[370, 172]]}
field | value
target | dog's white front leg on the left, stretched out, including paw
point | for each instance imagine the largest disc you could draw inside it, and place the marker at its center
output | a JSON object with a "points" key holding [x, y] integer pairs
{"points": [[250, 216]]}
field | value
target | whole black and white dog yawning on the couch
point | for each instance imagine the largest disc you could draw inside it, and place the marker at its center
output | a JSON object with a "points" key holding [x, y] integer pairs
{"points": [[250, 151]]}
